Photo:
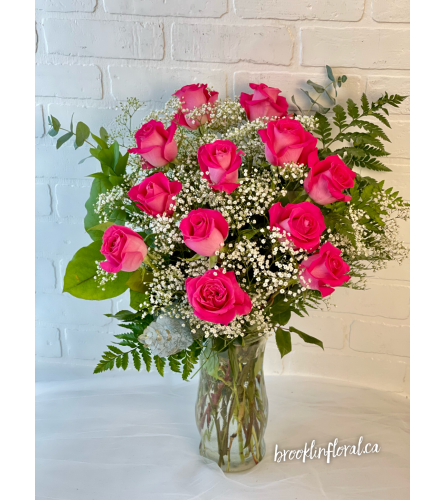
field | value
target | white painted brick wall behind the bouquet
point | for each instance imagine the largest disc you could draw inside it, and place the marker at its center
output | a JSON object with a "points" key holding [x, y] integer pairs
{"points": [[91, 54]]}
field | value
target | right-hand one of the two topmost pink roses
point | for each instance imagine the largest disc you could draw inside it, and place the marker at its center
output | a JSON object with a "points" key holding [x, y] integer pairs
{"points": [[265, 101]]}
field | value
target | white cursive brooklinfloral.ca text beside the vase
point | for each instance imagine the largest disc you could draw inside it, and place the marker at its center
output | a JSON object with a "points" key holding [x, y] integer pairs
{"points": [[331, 451]]}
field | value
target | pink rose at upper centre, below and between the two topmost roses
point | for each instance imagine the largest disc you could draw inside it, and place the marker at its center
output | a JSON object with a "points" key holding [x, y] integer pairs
{"points": [[221, 160]]}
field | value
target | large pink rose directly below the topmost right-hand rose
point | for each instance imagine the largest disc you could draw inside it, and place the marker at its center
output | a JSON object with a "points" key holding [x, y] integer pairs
{"points": [[287, 141]]}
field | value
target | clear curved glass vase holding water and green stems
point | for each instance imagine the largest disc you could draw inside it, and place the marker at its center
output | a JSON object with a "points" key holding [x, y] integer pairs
{"points": [[232, 406]]}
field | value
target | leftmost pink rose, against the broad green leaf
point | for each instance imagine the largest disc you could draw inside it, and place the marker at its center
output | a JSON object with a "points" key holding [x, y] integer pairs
{"points": [[123, 248]]}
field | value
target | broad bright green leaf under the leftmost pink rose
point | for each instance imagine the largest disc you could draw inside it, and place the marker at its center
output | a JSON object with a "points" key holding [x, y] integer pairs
{"points": [[80, 273]]}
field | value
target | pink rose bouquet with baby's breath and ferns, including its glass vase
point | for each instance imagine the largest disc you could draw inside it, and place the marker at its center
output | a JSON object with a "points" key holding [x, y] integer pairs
{"points": [[222, 218]]}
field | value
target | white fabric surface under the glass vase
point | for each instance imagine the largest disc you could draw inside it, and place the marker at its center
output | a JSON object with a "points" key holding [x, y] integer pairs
{"points": [[132, 436]]}
